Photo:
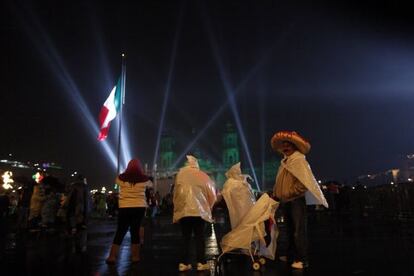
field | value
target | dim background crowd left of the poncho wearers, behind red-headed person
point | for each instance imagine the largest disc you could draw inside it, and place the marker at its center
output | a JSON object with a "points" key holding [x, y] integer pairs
{"points": [[46, 205]]}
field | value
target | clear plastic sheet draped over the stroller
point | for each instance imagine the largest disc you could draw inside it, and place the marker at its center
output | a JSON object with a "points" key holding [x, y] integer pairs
{"points": [[250, 233]]}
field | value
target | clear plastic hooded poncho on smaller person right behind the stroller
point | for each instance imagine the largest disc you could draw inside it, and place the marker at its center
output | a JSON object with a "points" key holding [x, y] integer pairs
{"points": [[238, 195]]}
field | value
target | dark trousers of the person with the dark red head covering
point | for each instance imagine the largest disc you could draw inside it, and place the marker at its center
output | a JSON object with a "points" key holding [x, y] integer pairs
{"points": [[129, 218]]}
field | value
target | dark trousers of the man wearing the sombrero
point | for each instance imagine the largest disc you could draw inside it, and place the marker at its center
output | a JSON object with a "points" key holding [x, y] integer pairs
{"points": [[296, 221]]}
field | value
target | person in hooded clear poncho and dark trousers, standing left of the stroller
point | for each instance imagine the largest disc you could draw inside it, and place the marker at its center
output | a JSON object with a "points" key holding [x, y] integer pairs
{"points": [[194, 196]]}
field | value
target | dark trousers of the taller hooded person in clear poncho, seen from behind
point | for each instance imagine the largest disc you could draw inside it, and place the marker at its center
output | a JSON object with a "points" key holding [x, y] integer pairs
{"points": [[188, 226]]}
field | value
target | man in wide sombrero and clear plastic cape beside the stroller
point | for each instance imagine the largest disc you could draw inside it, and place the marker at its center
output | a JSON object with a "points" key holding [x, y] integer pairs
{"points": [[295, 187]]}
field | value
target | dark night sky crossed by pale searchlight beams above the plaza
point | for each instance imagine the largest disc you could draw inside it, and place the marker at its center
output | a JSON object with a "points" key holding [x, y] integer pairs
{"points": [[342, 75]]}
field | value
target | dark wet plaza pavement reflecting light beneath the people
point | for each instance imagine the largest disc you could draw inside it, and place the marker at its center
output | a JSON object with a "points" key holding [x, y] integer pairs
{"points": [[375, 245]]}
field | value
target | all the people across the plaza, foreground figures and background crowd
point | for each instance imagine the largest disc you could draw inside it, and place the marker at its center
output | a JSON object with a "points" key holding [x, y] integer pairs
{"points": [[45, 205]]}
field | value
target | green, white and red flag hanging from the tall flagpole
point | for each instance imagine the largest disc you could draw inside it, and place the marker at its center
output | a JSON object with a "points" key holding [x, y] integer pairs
{"points": [[109, 110]]}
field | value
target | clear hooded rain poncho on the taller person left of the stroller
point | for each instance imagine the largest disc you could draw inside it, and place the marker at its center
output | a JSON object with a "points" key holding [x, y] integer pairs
{"points": [[194, 192]]}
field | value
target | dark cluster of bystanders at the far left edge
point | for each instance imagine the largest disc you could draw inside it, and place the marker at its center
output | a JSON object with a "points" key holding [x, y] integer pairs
{"points": [[44, 203]]}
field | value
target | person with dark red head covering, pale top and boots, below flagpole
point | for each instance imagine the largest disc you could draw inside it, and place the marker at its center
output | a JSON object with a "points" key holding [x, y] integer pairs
{"points": [[132, 203]]}
